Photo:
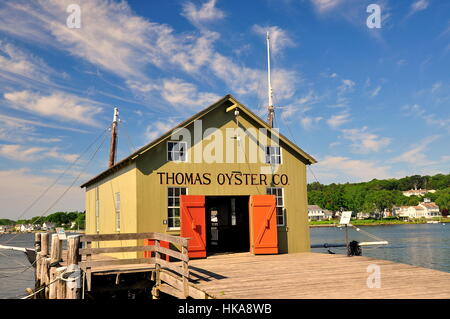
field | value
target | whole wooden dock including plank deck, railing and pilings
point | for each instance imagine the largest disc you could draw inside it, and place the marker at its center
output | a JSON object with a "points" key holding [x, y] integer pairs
{"points": [[229, 276]]}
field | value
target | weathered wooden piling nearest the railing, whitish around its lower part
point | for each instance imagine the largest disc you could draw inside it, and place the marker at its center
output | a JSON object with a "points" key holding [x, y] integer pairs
{"points": [[73, 283]]}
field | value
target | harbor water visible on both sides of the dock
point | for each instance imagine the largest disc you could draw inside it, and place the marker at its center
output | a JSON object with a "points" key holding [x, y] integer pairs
{"points": [[423, 245]]}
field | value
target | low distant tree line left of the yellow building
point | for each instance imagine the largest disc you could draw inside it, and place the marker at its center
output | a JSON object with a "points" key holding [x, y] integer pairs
{"points": [[59, 219]]}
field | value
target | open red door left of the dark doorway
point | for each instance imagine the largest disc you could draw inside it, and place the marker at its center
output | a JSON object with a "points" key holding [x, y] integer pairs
{"points": [[193, 224]]}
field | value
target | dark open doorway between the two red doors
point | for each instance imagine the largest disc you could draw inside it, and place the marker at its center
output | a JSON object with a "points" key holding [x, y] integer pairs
{"points": [[227, 224]]}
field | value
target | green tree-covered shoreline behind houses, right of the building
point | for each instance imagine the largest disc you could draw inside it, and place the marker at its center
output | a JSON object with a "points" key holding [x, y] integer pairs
{"points": [[378, 195]]}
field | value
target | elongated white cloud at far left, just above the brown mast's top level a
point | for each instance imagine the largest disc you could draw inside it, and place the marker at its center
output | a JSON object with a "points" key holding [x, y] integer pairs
{"points": [[59, 105]]}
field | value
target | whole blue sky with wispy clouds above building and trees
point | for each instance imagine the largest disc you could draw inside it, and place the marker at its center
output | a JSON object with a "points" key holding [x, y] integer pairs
{"points": [[367, 103]]}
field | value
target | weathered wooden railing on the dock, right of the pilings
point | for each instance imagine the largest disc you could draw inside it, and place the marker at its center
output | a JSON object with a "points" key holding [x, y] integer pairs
{"points": [[182, 270]]}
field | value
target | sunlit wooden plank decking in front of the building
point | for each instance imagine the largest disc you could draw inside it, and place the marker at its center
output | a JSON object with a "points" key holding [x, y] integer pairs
{"points": [[312, 276]]}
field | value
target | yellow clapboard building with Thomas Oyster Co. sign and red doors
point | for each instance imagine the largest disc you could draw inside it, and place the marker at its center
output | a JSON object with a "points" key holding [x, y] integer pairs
{"points": [[224, 178]]}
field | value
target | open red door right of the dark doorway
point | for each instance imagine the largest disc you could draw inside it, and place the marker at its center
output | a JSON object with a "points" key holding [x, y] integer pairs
{"points": [[263, 223]]}
